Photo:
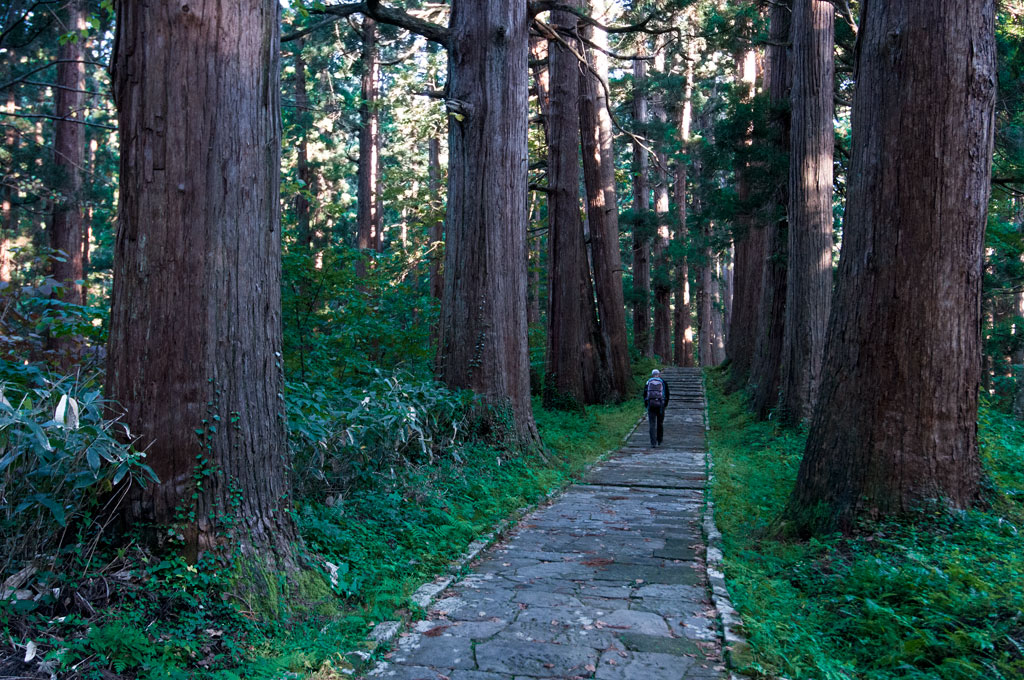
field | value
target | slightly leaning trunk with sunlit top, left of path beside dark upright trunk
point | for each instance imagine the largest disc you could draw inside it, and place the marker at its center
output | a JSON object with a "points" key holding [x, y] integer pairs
{"points": [[603, 207]]}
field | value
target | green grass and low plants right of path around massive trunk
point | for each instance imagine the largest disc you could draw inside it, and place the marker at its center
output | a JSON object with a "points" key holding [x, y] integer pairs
{"points": [[932, 597]]}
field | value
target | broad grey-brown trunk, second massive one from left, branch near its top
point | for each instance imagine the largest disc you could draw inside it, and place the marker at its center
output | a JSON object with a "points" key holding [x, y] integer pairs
{"points": [[484, 319]]}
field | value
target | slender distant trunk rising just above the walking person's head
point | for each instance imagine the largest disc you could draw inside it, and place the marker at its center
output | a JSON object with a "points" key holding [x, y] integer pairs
{"points": [[662, 279]]}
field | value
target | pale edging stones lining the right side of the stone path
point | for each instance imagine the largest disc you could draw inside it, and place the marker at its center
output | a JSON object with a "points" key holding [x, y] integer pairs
{"points": [[736, 650]]}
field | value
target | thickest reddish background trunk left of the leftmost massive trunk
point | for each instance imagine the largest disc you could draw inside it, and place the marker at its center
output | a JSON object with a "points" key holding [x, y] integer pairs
{"points": [[69, 157]]}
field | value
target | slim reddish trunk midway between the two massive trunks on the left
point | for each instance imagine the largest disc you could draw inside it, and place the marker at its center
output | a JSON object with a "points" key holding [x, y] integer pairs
{"points": [[368, 218]]}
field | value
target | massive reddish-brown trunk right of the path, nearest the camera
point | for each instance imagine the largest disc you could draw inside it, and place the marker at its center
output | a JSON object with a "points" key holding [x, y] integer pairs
{"points": [[897, 430]]}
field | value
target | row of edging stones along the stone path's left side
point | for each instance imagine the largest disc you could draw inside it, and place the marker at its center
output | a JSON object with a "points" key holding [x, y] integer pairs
{"points": [[426, 594]]}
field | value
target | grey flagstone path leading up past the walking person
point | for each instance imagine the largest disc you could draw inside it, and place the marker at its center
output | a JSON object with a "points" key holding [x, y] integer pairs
{"points": [[608, 582]]}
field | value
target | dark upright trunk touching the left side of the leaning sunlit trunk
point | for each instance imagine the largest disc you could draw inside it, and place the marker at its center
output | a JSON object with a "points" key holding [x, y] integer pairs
{"points": [[575, 371]]}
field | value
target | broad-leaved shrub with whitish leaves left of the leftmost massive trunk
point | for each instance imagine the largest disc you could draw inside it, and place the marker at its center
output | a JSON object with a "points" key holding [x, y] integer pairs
{"points": [[60, 460]]}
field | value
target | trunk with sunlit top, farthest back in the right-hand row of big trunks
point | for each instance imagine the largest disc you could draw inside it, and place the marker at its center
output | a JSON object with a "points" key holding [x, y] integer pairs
{"points": [[749, 241]]}
